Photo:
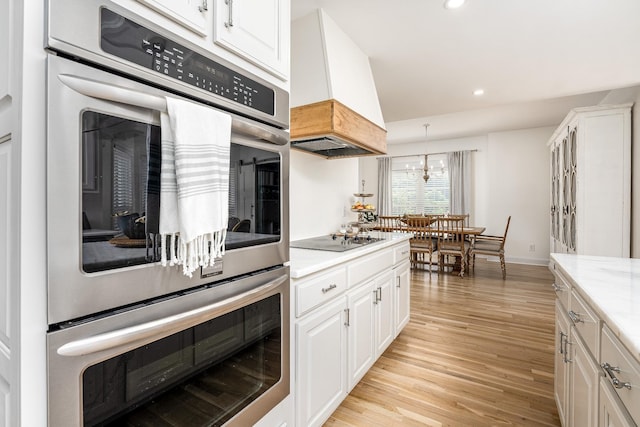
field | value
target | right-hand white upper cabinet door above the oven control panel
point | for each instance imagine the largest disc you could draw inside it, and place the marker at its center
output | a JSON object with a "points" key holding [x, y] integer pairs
{"points": [[257, 30]]}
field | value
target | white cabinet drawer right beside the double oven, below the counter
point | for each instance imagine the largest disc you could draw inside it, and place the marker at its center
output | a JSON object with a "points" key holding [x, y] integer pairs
{"points": [[316, 291]]}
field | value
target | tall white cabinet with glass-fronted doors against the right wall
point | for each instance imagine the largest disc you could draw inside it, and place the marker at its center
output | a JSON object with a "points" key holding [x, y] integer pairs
{"points": [[591, 182]]}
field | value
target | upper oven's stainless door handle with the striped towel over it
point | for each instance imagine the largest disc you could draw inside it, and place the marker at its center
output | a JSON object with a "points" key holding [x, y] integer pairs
{"points": [[109, 92]]}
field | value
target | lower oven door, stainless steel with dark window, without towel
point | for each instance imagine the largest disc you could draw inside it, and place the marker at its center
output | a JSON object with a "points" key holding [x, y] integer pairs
{"points": [[212, 356]]}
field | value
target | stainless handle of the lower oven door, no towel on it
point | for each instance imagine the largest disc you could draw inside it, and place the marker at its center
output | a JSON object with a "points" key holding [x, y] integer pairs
{"points": [[166, 326]]}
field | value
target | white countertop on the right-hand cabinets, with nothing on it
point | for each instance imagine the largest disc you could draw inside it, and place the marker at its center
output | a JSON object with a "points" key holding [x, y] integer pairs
{"points": [[612, 287]]}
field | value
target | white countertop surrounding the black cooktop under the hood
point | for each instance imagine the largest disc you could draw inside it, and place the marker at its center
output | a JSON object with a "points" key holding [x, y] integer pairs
{"points": [[306, 261]]}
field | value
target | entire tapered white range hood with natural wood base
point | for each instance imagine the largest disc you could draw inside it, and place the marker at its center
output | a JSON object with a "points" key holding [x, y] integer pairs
{"points": [[335, 109]]}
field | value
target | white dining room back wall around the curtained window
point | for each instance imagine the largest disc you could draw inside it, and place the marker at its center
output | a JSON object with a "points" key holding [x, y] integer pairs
{"points": [[510, 177]]}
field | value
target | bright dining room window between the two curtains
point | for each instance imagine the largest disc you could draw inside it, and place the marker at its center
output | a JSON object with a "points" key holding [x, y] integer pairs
{"points": [[410, 194]]}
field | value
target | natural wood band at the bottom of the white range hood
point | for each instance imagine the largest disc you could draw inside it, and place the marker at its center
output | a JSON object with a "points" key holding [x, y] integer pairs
{"points": [[332, 130]]}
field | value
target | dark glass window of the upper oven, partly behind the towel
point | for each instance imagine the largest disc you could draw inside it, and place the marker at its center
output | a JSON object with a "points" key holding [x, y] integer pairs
{"points": [[121, 193]]}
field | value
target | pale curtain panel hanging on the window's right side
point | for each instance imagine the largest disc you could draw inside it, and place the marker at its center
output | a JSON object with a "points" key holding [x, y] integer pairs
{"points": [[459, 163]]}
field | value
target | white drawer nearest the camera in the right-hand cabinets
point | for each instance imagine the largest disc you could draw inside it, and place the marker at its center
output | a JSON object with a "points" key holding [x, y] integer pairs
{"points": [[623, 367]]}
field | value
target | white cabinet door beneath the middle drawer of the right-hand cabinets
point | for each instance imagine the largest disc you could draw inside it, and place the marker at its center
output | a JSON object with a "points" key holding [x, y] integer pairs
{"points": [[583, 396]]}
